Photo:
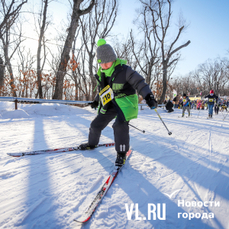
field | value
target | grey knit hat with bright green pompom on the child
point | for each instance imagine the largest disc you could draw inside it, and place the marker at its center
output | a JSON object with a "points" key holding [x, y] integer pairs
{"points": [[105, 52]]}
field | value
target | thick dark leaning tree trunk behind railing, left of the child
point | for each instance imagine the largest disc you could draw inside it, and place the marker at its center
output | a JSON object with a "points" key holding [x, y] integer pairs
{"points": [[76, 13]]}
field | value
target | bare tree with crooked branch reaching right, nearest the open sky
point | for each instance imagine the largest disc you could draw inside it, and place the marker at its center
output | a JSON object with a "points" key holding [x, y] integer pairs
{"points": [[161, 11]]}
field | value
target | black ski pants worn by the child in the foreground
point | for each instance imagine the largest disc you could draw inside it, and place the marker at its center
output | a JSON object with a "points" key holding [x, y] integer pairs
{"points": [[120, 128]]}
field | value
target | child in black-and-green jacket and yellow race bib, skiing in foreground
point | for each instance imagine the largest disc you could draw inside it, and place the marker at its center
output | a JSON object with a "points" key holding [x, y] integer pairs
{"points": [[117, 99]]}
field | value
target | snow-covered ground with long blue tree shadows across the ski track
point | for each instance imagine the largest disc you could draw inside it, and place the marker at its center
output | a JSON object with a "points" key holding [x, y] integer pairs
{"points": [[179, 181]]}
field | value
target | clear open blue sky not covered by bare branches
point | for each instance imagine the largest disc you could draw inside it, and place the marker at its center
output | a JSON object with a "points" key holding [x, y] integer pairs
{"points": [[208, 29]]}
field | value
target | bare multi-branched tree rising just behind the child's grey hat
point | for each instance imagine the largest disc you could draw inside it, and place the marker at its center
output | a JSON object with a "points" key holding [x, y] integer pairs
{"points": [[97, 24]]}
